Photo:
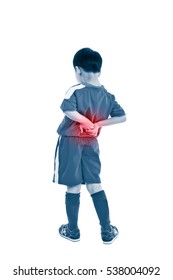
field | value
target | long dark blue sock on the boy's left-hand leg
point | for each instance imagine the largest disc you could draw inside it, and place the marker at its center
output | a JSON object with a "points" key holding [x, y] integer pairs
{"points": [[72, 209]]}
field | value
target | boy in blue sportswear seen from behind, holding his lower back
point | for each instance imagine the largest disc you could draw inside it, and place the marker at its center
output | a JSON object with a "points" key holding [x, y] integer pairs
{"points": [[87, 107]]}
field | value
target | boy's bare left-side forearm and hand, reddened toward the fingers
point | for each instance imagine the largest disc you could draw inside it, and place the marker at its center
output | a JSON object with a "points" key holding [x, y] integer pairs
{"points": [[77, 117]]}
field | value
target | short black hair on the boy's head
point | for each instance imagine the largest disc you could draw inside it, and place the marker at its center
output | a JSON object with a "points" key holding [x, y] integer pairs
{"points": [[88, 60]]}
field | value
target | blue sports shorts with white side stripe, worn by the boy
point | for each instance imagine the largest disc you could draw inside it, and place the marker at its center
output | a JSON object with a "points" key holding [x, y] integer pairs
{"points": [[76, 161]]}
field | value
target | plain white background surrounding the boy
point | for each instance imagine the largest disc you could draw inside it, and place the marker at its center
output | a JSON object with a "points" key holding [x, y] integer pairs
{"points": [[38, 41]]}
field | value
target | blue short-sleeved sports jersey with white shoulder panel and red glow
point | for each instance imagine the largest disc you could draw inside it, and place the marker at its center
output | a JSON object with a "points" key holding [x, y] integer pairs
{"points": [[93, 102]]}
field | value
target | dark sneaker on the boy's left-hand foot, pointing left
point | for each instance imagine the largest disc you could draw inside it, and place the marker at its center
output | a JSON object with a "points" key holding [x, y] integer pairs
{"points": [[72, 235]]}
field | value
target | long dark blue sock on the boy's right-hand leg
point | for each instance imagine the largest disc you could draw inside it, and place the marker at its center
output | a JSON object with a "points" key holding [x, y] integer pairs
{"points": [[102, 209]]}
